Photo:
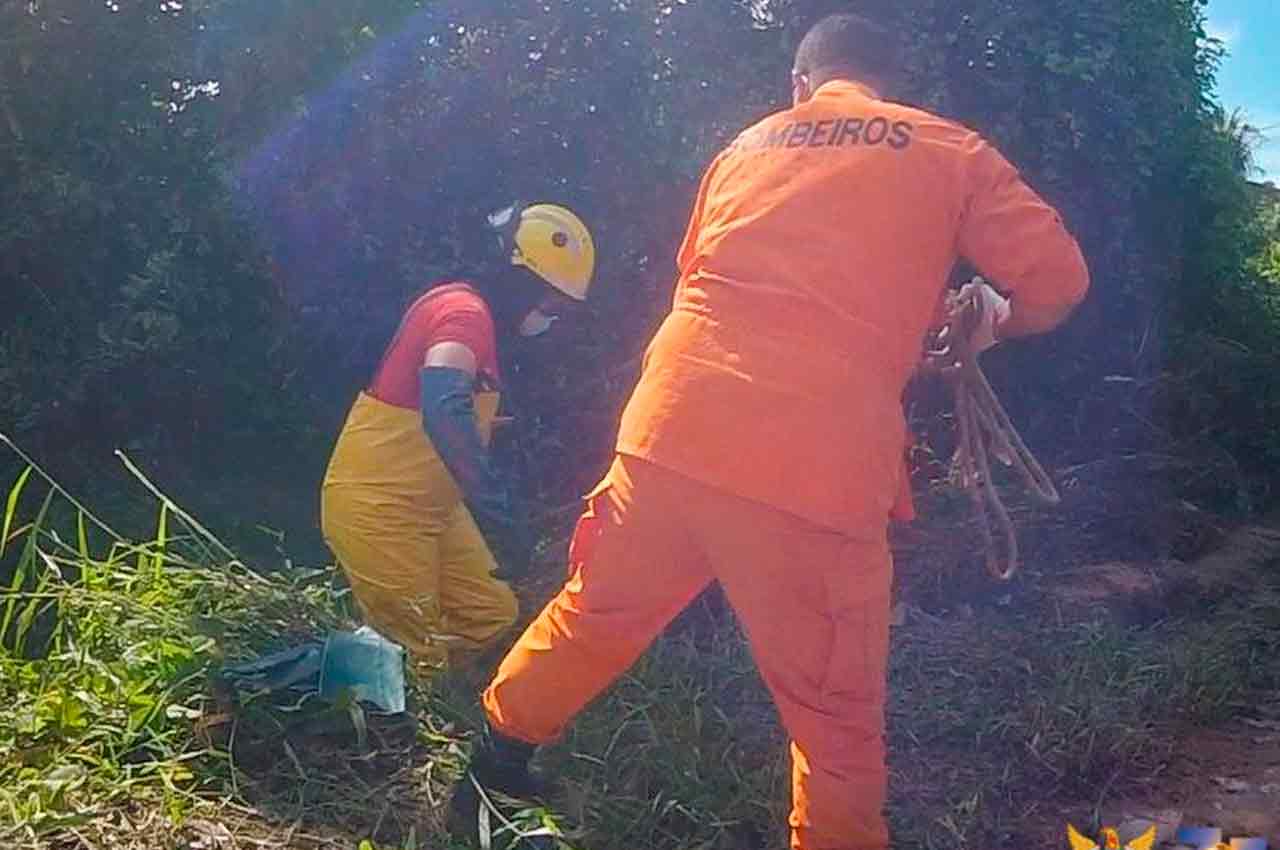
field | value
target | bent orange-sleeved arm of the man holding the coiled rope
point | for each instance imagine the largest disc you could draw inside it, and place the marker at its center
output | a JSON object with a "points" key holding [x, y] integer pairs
{"points": [[1020, 243]]}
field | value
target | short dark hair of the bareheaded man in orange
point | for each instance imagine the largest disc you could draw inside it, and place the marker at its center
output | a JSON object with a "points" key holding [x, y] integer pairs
{"points": [[849, 45]]}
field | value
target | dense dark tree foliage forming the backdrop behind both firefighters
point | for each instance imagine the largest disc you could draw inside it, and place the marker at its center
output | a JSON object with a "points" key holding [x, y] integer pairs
{"points": [[214, 211]]}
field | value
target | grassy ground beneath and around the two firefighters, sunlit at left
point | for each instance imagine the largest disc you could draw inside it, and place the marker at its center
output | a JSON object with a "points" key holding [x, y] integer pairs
{"points": [[111, 705]]}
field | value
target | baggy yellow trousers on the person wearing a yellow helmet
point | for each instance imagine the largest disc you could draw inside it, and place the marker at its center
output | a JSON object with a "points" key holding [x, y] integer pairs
{"points": [[419, 569]]}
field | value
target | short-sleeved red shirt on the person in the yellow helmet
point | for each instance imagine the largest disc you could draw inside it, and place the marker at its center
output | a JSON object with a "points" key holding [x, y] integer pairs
{"points": [[449, 313]]}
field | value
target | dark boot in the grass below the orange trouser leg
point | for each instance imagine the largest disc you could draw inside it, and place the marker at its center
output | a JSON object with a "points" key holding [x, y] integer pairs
{"points": [[500, 766]]}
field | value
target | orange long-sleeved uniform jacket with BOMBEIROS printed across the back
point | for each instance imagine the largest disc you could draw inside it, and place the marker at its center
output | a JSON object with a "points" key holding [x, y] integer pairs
{"points": [[816, 258]]}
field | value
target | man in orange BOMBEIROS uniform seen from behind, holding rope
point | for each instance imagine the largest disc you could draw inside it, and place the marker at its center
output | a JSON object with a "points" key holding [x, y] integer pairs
{"points": [[764, 445]]}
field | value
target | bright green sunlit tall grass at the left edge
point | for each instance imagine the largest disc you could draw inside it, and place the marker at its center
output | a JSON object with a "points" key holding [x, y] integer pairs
{"points": [[106, 652]]}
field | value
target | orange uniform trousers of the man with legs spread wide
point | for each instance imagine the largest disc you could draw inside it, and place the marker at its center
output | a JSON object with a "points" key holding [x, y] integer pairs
{"points": [[813, 604]]}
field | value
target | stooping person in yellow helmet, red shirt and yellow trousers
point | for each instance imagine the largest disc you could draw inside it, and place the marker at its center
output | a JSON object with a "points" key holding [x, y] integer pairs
{"points": [[412, 504]]}
